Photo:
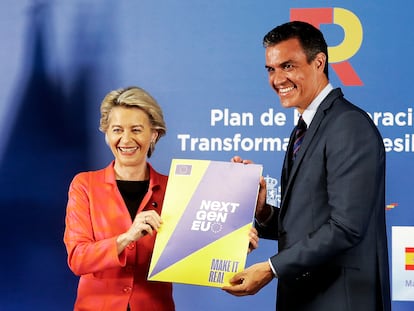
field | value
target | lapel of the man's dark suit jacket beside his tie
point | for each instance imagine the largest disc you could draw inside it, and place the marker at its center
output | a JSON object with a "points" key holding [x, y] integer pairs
{"points": [[309, 136]]}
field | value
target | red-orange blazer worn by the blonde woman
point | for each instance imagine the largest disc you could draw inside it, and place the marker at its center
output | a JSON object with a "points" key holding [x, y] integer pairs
{"points": [[96, 214]]}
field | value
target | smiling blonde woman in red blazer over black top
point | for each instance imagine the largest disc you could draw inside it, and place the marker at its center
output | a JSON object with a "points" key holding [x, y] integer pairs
{"points": [[113, 213]]}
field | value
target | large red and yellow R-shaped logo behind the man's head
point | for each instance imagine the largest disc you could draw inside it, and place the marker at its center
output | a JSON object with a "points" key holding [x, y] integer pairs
{"points": [[353, 34]]}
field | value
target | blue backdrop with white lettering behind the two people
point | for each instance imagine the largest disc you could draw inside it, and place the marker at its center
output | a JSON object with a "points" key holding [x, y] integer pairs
{"points": [[204, 63]]}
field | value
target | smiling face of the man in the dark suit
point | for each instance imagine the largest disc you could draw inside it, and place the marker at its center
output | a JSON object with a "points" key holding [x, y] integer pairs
{"points": [[295, 81]]}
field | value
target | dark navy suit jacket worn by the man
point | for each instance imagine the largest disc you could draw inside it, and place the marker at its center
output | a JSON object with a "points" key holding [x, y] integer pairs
{"points": [[331, 222]]}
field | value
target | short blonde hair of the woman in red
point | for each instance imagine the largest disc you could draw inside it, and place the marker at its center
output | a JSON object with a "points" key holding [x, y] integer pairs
{"points": [[134, 97]]}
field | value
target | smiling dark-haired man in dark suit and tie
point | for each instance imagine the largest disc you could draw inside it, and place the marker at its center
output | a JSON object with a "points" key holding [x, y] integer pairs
{"points": [[330, 226]]}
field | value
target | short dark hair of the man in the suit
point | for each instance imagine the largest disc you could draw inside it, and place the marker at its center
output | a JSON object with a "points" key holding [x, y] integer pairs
{"points": [[310, 38]]}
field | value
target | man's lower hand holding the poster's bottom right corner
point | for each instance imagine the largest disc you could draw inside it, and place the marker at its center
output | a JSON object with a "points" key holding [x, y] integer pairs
{"points": [[251, 280]]}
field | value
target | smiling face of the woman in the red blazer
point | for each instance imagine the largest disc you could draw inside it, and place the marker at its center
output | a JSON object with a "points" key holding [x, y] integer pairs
{"points": [[129, 135]]}
